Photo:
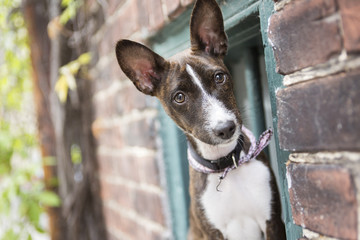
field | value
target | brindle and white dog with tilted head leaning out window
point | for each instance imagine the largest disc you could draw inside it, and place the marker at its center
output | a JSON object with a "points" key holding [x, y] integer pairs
{"points": [[196, 91]]}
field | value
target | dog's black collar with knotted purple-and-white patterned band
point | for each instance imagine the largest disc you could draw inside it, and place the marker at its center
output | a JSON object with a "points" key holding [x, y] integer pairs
{"points": [[233, 159]]}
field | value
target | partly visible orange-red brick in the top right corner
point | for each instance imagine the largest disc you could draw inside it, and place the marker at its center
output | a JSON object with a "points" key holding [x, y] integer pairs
{"points": [[351, 24]]}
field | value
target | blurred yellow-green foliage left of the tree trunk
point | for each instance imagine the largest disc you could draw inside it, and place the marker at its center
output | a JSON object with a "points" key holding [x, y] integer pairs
{"points": [[23, 197]]}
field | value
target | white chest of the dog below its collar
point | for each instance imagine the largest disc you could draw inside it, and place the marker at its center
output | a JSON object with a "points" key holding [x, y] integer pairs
{"points": [[242, 207]]}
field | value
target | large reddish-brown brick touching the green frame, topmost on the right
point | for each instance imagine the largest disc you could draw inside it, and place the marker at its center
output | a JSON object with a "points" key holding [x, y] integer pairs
{"points": [[301, 37]]}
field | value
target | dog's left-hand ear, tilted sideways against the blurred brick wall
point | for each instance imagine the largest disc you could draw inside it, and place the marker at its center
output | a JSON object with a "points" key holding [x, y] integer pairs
{"points": [[144, 67]]}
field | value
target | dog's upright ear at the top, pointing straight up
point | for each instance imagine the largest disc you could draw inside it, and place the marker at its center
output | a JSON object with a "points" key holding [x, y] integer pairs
{"points": [[207, 28]]}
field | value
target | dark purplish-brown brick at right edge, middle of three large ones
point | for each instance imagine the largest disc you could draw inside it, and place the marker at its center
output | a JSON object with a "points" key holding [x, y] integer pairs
{"points": [[322, 114]]}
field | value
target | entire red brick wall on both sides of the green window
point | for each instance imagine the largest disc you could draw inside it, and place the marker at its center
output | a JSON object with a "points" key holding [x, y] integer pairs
{"points": [[317, 48]]}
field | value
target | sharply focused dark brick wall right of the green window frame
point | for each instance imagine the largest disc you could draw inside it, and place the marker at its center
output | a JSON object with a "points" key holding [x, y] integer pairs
{"points": [[317, 47]]}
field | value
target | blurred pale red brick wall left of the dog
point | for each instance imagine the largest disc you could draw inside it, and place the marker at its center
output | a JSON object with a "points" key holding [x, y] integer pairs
{"points": [[126, 125]]}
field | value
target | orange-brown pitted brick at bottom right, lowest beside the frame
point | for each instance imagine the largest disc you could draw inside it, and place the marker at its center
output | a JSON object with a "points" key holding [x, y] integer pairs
{"points": [[323, 199]]}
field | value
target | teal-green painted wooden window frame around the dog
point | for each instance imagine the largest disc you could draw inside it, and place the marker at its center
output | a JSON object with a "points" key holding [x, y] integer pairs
{"points": [[175, 38]]}
